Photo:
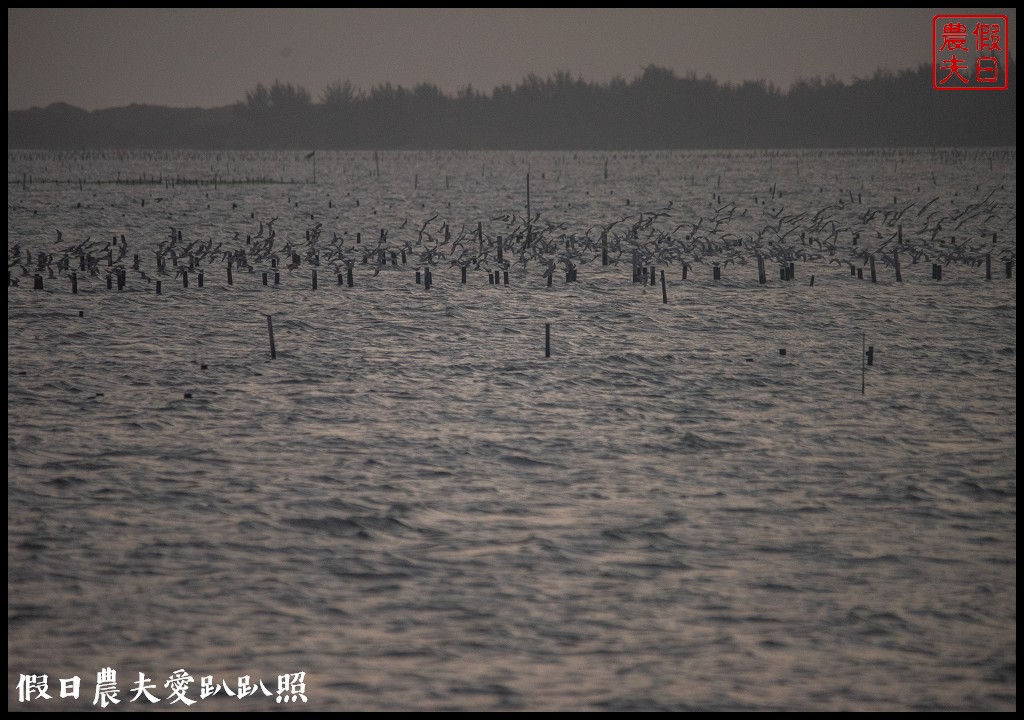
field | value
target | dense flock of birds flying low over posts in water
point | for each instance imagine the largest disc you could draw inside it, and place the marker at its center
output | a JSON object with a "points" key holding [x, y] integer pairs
{"points": [[727, 235]]}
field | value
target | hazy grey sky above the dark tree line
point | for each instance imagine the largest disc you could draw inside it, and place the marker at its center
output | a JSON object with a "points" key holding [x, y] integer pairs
{"points": [[107, 58]]}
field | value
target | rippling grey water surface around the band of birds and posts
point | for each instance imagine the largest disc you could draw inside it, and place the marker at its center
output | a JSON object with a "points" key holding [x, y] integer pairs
{"points": [[420, 512]]}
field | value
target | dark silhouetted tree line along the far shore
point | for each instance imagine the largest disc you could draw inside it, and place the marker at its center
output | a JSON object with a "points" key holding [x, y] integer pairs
{"points": [[656, 110]]}
